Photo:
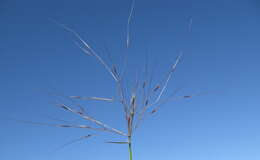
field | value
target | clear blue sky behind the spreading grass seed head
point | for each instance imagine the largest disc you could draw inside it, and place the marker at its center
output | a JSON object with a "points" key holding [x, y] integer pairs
{"points": [[221, 54]]}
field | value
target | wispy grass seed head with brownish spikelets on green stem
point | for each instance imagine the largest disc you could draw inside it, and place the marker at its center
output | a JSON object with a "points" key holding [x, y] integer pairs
{"points": [[145, 98]]}
